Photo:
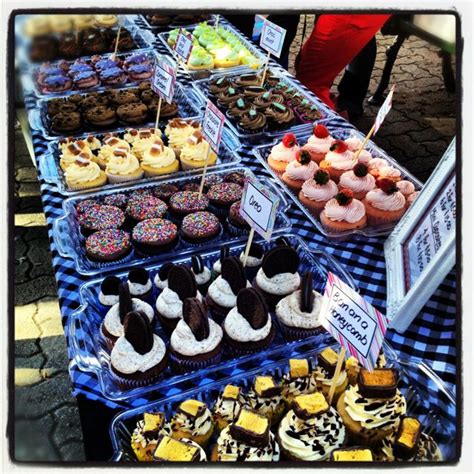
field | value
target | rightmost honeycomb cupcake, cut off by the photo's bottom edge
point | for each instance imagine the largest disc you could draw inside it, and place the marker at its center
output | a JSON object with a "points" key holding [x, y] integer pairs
{"points": [[409, 443]]}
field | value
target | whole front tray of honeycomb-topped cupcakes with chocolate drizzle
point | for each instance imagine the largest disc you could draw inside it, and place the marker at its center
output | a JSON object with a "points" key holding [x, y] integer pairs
{"points": [[400, 412]]}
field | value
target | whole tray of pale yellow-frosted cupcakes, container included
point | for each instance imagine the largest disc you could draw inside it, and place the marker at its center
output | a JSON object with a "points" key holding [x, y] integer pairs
{"points": [[176, 150]]}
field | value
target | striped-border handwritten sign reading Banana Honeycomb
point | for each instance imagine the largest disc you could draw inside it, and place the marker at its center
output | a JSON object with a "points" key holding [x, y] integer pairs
{"points": [[353, 322]]}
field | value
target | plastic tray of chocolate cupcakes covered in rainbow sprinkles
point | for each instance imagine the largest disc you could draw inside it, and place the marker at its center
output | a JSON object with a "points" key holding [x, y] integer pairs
{"points": [[108, 230]]}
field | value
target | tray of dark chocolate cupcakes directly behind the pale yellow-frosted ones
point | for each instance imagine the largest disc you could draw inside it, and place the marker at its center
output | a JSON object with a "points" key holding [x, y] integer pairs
{"points": [[109, 110]]}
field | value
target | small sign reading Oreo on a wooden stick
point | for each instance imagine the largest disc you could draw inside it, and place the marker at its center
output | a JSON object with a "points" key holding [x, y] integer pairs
{"points": [[259, 207]]}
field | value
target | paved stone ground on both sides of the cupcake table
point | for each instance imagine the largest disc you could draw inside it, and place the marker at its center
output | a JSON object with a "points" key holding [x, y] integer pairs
{"points": [[416, 132]]}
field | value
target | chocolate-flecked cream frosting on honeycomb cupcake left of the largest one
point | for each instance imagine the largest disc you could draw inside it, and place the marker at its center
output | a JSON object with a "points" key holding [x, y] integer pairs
{"points": [[313, 439]]}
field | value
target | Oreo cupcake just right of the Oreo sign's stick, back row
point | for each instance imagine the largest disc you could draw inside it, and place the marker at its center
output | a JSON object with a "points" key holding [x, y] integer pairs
{"points": [[279, 275]]}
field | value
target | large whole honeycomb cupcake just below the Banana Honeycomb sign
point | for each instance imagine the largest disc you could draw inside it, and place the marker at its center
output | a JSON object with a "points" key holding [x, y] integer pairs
{"points": [[372, 409]]}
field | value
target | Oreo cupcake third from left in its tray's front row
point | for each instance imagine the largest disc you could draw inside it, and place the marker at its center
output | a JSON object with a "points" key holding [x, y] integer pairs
{"points": [[248, 326]]}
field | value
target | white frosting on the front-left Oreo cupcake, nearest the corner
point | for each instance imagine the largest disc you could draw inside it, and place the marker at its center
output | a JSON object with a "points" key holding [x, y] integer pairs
{"points": [[126, 360]]}
